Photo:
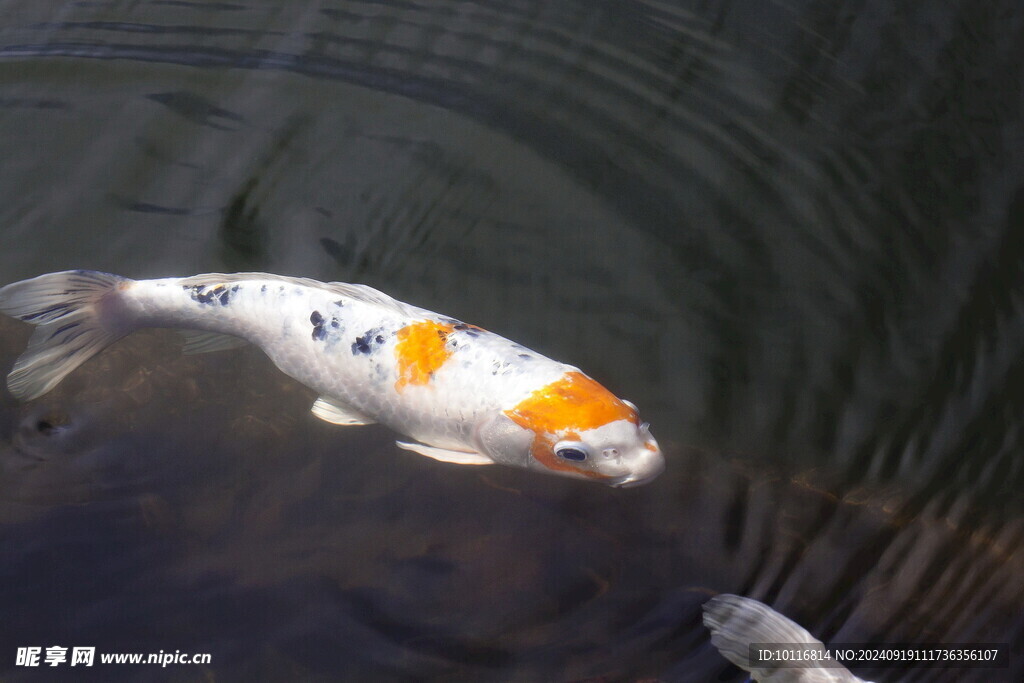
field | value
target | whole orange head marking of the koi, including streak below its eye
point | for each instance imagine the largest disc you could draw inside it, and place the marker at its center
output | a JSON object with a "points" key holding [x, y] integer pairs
{"points": [[575, 403]]}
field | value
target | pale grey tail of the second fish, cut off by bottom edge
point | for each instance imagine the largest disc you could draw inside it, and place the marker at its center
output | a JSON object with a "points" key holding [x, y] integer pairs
{"points": [[736, 623]]}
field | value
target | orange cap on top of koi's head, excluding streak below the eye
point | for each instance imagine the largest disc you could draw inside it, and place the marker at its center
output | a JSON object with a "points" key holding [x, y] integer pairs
{"points": [[575, 402]]}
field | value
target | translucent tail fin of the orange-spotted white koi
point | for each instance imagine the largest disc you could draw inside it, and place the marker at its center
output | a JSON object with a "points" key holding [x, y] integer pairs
{"points": [[65, 306]]}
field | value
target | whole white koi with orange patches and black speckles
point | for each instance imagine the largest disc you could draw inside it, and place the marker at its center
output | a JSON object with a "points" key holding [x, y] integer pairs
{"points": [[462, 395]]}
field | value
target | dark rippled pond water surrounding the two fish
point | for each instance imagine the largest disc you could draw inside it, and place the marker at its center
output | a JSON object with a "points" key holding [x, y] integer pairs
{"points": [[793, 233]]}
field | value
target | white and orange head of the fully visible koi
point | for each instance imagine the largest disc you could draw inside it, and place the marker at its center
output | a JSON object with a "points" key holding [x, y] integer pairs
{"points": [[575, 428]]}
